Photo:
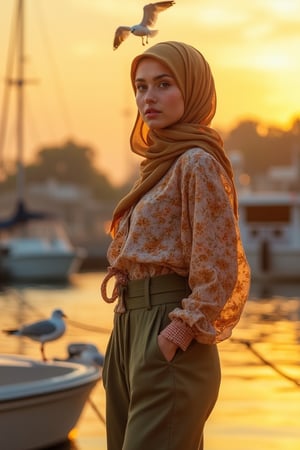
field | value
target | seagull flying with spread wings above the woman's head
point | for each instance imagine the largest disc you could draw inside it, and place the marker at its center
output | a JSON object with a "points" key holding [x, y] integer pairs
{"points": [[142, 29]]}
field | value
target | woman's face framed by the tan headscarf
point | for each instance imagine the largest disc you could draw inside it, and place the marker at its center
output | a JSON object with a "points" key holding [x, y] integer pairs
{"points": [[158, 97]]}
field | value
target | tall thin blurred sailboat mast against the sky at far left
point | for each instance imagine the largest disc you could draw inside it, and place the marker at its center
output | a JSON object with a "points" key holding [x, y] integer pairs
{"points": [[20, 101]]}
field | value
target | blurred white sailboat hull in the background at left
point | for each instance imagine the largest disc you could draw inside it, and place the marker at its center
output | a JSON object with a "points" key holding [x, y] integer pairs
{"points": [[38, 251]]}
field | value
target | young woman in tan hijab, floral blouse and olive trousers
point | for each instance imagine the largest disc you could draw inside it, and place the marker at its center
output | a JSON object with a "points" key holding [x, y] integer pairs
{"points": [[182, 278]]}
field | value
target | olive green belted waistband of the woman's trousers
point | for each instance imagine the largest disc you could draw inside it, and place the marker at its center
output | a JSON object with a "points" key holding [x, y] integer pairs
{"points": [[152, 291]]}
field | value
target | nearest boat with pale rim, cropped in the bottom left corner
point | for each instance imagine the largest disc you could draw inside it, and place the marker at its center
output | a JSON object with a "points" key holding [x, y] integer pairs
{"points": [[40, 403]]}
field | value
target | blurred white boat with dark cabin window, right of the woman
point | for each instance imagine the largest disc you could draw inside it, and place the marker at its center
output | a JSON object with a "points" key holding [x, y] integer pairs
{"points": [[270, 230]]}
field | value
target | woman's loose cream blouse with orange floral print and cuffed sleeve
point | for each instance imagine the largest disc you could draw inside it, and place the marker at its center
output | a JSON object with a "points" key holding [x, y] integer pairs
{"points": [[185, 224]]}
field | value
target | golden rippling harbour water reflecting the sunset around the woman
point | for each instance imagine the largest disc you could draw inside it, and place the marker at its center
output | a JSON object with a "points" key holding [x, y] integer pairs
{"points": [[258, 407]]}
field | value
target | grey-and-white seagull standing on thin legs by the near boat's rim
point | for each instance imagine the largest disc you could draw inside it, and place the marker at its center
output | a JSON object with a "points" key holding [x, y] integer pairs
{"points": [[44, 330]]}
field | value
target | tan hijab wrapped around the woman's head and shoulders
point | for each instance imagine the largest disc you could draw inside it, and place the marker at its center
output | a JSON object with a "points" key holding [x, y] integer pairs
{"points": [[161, 147]]}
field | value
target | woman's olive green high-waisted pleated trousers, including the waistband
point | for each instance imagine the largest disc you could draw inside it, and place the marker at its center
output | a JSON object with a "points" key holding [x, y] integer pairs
{"points": [[152, 404]]}
